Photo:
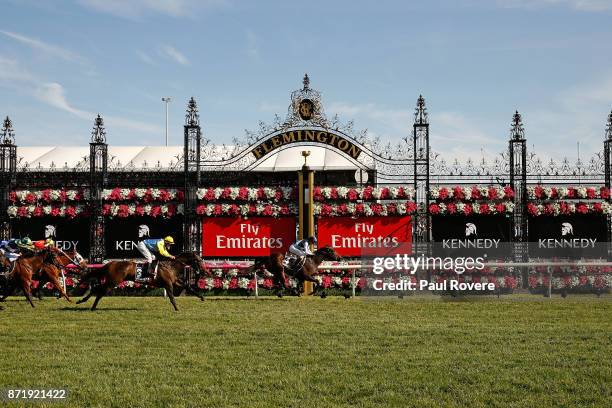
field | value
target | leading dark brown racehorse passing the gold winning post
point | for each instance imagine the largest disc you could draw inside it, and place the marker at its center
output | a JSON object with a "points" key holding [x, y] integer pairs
{"points": [[302, 272]]}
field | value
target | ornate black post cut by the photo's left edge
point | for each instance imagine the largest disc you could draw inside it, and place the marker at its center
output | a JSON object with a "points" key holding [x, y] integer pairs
{"points": [[8, 168]]}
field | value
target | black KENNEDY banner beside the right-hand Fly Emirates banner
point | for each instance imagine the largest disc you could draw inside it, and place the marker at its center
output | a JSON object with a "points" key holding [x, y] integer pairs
{"points": [[475, 235]]}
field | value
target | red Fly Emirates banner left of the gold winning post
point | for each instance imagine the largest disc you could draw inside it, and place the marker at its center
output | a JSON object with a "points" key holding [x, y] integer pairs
{"points": [[255, 236]]}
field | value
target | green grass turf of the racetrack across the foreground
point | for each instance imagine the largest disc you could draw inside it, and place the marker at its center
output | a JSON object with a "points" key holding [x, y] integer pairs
{"points": [[311, 352]]}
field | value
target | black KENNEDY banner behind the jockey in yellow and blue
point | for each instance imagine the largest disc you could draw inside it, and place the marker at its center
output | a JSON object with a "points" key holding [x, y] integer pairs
{"points": [[122, 235]]}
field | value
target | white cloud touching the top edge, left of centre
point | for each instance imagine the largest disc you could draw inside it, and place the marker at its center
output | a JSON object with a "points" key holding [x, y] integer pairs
{"points": [[134, 9]]}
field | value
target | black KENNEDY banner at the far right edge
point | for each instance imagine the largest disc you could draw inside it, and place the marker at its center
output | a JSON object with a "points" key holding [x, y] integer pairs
{"points": [[568, 236]]}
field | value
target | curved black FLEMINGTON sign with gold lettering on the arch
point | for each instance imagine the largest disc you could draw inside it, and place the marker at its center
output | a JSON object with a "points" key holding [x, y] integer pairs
{"points": [[299, 136]]}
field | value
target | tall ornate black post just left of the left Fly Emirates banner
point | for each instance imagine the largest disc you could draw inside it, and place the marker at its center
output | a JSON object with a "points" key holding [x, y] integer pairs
{"points": [[192, 229]]}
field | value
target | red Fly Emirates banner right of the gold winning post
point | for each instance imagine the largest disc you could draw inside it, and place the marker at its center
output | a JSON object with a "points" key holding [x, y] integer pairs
{"points": [[364, 235]]}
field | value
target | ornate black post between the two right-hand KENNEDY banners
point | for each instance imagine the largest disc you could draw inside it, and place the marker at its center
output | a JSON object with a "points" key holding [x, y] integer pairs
{"points": [[518, 181]]}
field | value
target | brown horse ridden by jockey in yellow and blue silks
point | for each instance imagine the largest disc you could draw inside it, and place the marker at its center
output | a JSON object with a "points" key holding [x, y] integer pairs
{"points": [[169, 276]]}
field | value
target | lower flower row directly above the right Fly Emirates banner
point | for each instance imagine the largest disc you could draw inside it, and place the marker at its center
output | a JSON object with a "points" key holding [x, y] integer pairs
{"points": [[367, 209]]}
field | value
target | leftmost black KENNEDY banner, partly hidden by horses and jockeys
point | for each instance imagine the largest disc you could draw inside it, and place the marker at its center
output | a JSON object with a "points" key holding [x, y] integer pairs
{"points": [[67, 234]]}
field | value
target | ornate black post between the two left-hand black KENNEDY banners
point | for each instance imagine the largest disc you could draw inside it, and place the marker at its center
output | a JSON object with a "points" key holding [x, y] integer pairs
{"points": [[98, 167]]}
